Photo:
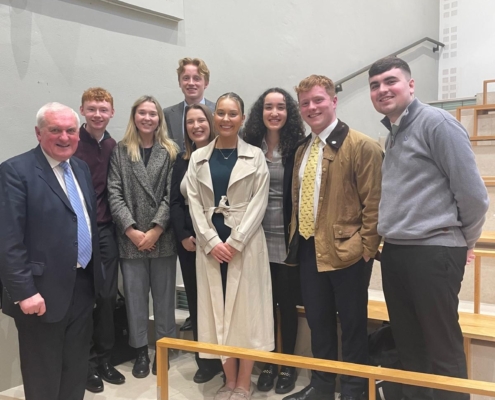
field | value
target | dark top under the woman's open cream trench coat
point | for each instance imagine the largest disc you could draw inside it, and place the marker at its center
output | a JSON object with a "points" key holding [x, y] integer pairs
{"points": [[221, 165]]}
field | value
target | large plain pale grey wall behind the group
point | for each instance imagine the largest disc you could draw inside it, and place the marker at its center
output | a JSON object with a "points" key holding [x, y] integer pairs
{"points": [[52, 50]]}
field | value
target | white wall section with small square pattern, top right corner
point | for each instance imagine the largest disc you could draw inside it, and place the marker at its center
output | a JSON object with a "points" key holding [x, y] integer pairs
{"points": [[466, 27]]}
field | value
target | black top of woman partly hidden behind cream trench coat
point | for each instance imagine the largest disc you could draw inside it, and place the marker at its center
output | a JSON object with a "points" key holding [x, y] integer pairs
{"points": [[179, 211]]}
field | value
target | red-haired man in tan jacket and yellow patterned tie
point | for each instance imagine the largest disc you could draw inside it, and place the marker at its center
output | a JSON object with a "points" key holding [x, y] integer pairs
{"points": [[333, 235]]}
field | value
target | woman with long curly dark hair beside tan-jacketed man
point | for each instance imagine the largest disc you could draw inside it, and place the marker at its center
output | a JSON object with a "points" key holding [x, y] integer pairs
{"points": [[275, 125]]}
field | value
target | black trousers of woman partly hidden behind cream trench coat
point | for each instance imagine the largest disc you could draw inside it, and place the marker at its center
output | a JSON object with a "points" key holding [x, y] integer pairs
{"points": [[187, 261]]}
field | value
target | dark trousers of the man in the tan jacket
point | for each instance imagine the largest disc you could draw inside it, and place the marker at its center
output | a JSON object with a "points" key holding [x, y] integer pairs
{"points": [[325, 294]]}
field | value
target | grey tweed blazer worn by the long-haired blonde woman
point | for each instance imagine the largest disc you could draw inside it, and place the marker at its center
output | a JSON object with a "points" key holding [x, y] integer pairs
{"points": [[139, 196]]}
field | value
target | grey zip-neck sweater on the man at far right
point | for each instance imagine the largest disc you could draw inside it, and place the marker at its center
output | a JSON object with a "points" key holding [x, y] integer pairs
{"points": [[432, 192]]}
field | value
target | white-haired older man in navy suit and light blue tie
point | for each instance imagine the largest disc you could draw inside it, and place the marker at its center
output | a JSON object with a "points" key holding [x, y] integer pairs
{"points": [[49, 258]]}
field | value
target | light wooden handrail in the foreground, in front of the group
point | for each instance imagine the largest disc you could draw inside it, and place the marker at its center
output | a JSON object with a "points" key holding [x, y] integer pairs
{"points": [[338, 367]]}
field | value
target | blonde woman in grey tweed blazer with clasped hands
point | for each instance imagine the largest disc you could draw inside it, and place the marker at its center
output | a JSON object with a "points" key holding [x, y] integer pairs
{"points": [[139, 192]]}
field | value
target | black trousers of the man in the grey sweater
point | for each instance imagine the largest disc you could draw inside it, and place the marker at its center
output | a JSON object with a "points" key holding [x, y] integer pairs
{"points": [[421, 286]]}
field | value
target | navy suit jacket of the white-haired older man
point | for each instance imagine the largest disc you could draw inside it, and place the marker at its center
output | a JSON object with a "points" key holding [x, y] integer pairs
{"points": [[38, 234]]}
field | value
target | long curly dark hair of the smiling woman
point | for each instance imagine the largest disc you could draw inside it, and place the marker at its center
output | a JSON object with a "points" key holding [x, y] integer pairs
{"points": [[290, 134]]}
